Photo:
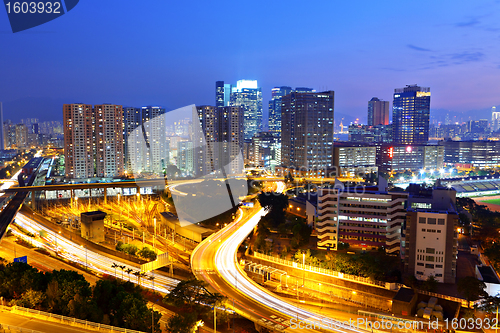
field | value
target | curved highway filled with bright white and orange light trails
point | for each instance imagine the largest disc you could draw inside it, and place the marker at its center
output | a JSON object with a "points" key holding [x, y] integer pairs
{"points": [[214, 261]]}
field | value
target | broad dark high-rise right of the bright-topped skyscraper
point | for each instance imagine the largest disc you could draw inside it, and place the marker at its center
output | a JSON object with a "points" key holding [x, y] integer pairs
{"points": [[307, 130]]}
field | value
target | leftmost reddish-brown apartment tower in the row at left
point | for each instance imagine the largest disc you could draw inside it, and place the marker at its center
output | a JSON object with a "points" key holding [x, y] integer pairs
{"points": [[78, 140]]}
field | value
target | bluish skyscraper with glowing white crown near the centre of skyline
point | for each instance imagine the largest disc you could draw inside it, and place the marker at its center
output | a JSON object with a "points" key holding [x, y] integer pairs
{"points": [[249, 96]]}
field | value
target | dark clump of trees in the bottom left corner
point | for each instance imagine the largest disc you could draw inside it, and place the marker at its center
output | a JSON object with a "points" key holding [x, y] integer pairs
{"points": [[67, 293]]}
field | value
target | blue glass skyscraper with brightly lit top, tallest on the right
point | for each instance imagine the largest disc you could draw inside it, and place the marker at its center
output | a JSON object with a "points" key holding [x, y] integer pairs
{"points": [[410, 114]]}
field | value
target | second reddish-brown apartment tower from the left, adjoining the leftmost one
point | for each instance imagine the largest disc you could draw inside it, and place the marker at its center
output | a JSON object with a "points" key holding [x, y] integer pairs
{"points": [[108, 133]]}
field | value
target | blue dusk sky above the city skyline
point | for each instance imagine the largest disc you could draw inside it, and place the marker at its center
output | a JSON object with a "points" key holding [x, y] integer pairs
{"points": [[170, 53]]}
